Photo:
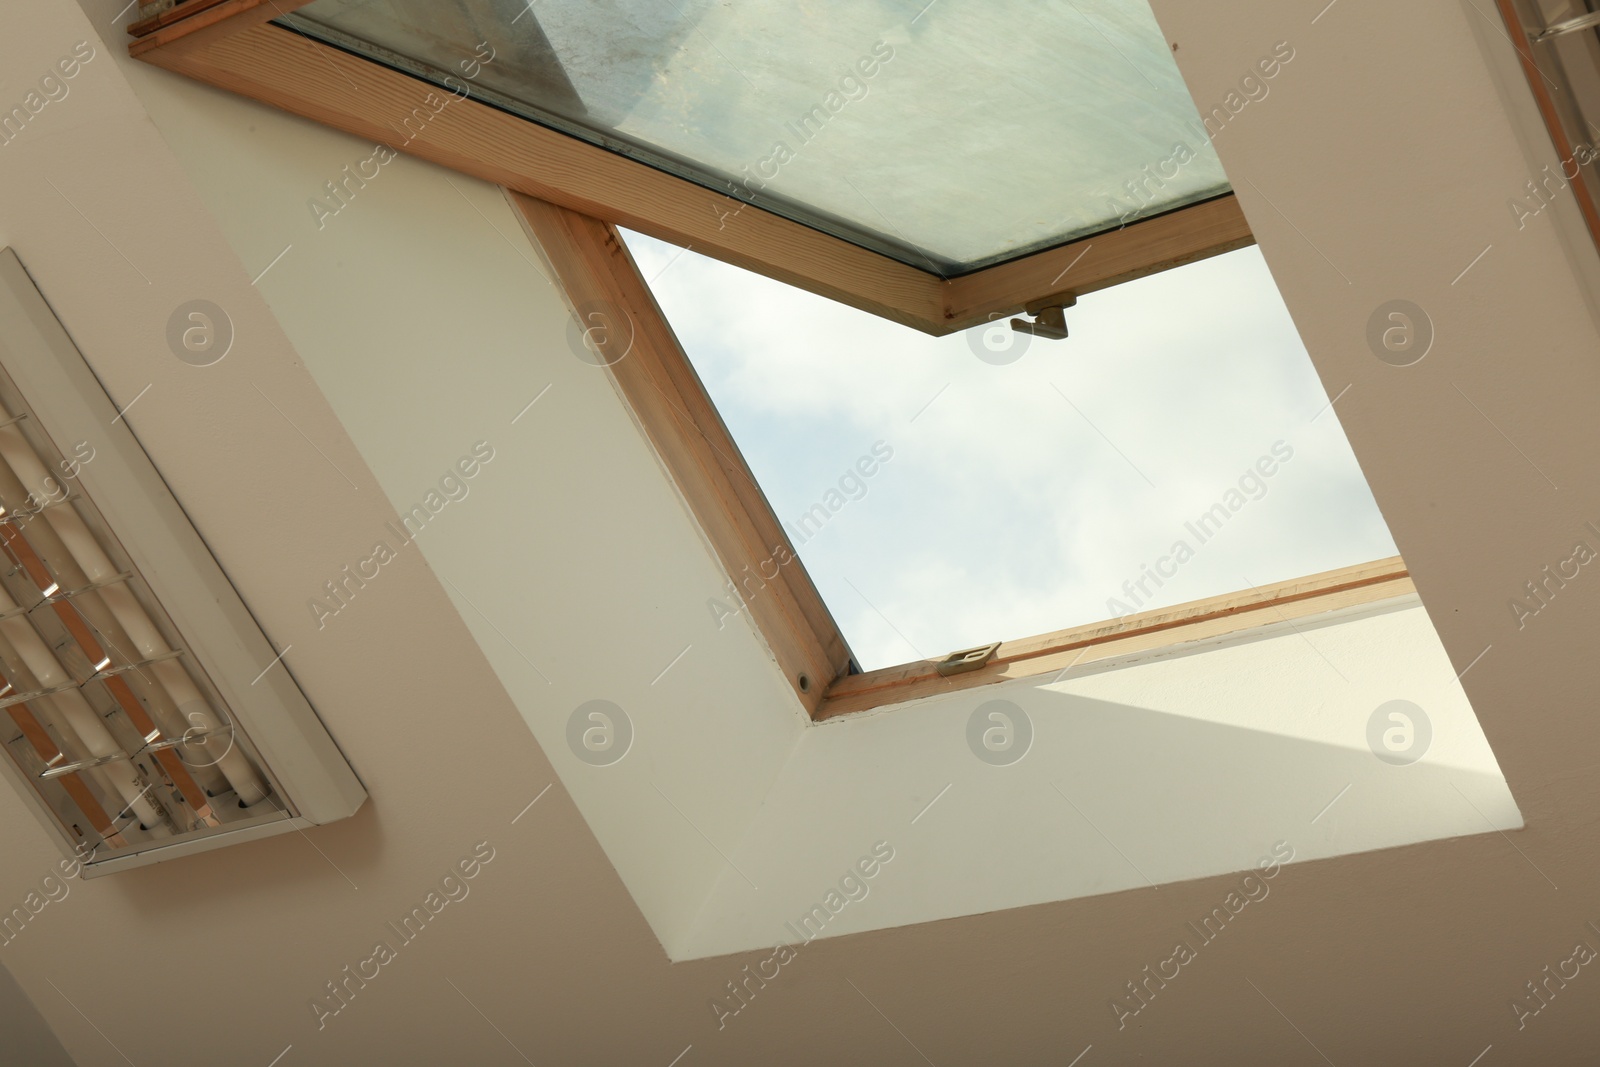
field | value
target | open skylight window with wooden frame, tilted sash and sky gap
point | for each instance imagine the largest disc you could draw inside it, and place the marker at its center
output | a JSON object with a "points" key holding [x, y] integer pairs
{"points": [[962, 223]]}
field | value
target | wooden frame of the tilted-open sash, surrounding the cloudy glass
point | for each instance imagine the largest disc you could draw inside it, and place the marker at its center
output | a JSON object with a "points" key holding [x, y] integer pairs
{"points": [[231, 44]]}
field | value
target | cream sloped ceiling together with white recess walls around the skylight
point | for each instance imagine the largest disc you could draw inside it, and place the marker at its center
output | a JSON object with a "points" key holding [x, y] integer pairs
{"points": [[556, 954]]}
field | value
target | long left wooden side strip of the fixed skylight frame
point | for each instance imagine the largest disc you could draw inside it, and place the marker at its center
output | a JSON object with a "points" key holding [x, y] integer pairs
{"points": [[668, 401]]}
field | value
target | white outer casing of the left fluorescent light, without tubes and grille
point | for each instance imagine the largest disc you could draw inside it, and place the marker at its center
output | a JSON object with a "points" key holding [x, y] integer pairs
{"points": [[44, 375]]}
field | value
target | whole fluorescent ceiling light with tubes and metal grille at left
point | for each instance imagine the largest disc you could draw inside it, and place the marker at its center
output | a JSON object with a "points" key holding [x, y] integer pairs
{"points": [[138, 719]]}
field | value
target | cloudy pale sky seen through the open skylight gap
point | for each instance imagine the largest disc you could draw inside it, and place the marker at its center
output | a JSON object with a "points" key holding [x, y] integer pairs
{"points": [[1031, 490]]}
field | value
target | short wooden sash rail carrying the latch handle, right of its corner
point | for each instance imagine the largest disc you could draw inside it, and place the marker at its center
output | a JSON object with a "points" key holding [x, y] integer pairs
{"points": [[1095, 263]]}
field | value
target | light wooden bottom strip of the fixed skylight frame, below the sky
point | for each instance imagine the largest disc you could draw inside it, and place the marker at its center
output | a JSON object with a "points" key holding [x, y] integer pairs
{"points": [[1215, 617]]}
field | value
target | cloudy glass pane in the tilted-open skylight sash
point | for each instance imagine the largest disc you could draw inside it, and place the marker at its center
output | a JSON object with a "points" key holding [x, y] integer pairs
{"points": [[950, 135]]}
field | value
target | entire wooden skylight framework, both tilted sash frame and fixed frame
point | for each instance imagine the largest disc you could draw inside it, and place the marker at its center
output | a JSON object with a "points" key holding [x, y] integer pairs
{"points": [[572, 198]]}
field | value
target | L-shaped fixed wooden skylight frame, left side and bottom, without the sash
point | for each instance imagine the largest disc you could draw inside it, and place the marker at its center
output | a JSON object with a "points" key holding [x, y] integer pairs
{"points": [[654, 375]]}
